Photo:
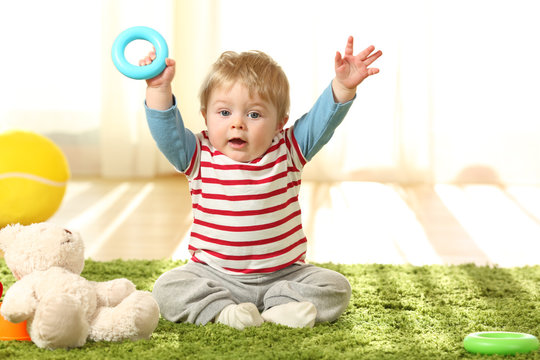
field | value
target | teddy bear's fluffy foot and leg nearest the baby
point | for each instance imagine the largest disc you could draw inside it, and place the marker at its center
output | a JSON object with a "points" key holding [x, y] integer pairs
{"points": [[136, 317]]}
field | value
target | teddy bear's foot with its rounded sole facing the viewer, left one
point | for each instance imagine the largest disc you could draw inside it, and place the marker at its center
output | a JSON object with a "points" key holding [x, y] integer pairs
{"points": [[59, 323]]}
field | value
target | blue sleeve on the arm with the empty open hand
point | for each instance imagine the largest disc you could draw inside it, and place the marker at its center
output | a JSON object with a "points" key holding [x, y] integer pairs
{"points": [[313, 130]]}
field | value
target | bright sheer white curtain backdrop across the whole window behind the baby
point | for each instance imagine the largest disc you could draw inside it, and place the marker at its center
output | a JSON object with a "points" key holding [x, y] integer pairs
{"points": [[455, 100]]}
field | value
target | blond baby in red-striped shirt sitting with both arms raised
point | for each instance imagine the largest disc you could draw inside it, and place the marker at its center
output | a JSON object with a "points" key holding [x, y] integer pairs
{"points": [[247, 244]]}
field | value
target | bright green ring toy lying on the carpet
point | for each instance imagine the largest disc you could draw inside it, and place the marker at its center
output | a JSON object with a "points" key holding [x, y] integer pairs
{"points": [[500, 343]]}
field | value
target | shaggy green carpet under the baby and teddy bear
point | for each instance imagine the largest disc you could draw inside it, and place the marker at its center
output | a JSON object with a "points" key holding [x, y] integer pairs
{"points": [[396, 312]]}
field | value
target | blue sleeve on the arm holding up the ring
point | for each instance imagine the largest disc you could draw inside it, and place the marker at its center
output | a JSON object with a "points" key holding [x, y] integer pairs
{"points": [[176, 142]]}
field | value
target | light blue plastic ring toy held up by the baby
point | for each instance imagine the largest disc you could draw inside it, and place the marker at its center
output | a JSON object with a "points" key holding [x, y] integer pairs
{"points": [[140, 72]]}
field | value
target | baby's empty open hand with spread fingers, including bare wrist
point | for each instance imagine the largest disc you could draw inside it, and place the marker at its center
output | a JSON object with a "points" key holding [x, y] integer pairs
{"points": [[351, 70]]}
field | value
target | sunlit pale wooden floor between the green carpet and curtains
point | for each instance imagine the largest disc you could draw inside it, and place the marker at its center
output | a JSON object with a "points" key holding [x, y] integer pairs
{"points": [[346, 222]]}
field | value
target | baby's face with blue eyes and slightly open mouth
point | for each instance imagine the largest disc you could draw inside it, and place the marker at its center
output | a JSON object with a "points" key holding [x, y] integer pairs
{"points": [[240, 126]]}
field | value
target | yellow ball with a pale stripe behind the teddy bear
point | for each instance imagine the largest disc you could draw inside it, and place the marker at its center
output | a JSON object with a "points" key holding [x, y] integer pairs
{"points": [[33, 178]]}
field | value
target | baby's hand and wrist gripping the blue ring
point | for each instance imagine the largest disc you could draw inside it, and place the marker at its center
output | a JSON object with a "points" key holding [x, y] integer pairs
{"points": [[159, 90]]}
